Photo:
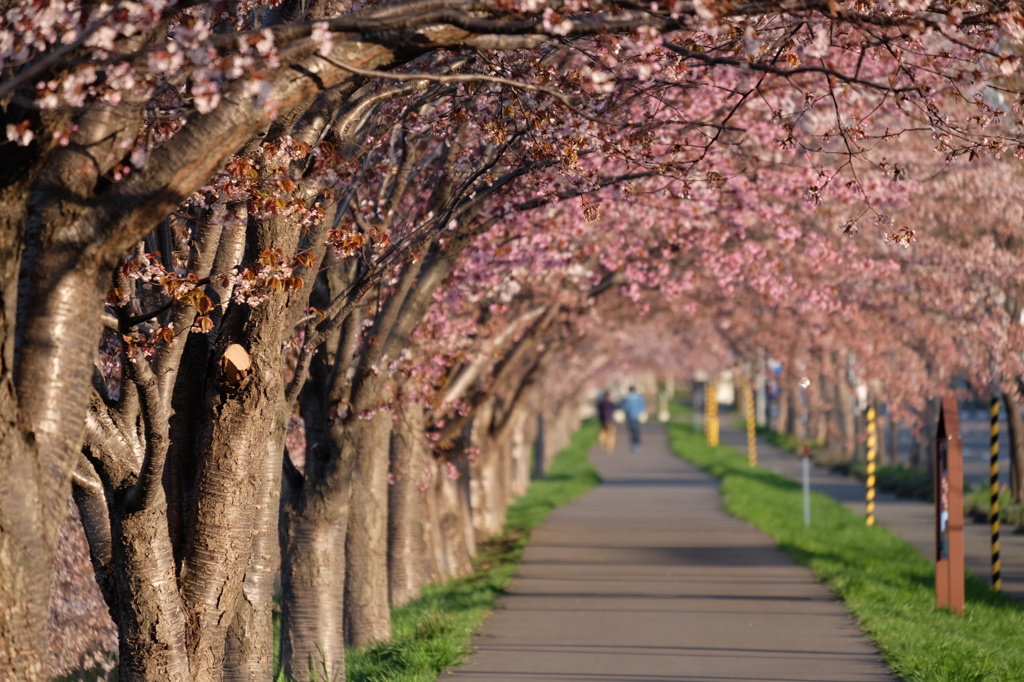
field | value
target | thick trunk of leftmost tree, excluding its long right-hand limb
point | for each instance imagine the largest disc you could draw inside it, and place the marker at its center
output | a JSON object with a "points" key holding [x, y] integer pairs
{"points": [[47, 365]]}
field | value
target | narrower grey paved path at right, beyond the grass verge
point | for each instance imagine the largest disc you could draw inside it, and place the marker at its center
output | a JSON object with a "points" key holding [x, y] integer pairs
{"points": [[913, 521]]}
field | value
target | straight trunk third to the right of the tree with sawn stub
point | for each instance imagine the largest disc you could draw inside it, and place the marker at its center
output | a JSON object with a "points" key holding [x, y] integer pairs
{"points": [[406, 508]]}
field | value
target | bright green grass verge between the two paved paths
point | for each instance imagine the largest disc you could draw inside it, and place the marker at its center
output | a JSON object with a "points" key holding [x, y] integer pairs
{"points": [[887, 585]]}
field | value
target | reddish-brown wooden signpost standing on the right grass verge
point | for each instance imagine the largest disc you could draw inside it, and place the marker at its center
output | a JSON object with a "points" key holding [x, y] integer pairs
{"points": [[950, 510]]}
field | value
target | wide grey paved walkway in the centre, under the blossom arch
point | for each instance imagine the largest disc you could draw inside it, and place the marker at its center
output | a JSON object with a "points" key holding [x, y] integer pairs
{"points": [[647, 579]]}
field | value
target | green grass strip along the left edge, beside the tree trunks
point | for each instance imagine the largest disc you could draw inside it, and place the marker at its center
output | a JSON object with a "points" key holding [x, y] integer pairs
{"points": [[434, 633]]}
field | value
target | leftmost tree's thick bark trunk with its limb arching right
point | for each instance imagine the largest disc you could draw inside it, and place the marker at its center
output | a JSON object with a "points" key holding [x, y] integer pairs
{"points": [[77, 230]]}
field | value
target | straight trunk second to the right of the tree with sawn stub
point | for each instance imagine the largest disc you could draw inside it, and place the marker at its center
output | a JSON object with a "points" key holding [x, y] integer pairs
{"points": [[368, 617]]}
